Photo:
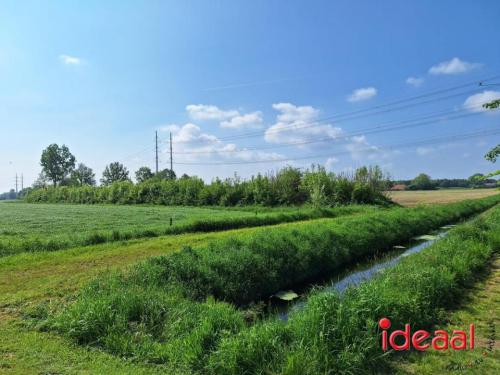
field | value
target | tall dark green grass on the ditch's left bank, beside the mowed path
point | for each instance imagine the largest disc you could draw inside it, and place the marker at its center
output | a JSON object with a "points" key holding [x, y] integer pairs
{"points": [[242, 270]]}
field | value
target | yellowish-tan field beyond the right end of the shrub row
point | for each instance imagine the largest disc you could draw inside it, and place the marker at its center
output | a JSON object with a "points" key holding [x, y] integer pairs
{"points": [[414, 198]]}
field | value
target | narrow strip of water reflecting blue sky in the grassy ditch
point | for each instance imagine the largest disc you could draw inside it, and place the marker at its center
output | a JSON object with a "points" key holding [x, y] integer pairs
{"points": [[361, 272]]}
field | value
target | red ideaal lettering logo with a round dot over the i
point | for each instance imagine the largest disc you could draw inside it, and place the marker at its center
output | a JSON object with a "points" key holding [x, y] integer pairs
{"points": [[441, 340]]}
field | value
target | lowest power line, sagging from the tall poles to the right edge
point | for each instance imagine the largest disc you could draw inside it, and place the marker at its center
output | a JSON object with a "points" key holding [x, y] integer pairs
{"points": [[408, 144]]}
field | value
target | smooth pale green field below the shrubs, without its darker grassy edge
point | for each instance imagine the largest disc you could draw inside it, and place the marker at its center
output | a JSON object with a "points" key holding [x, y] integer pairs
{"points": [[52, 226]]}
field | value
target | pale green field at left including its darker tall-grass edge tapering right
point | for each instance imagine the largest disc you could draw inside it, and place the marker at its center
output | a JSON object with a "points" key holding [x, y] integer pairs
{"points": [[26, 227]]}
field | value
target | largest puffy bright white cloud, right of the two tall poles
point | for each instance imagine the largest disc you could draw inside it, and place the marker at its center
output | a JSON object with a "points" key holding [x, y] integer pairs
{"points": [[299, 122]]}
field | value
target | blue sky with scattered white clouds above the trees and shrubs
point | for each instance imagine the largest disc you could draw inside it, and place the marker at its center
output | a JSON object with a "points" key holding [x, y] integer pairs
{"points": [[231, 78]]}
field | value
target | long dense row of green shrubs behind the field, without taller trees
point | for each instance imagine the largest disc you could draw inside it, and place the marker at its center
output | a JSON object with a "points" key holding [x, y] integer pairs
{"points": [[289, 186]]}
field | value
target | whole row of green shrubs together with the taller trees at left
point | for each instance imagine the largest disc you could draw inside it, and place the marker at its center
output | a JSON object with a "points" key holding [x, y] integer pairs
{"points": [[61, 180]]}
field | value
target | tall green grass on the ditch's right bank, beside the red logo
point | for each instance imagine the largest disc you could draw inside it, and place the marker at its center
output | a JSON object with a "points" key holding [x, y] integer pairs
{"points": [[336, 334]]}
